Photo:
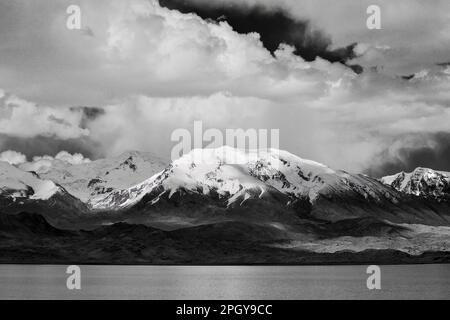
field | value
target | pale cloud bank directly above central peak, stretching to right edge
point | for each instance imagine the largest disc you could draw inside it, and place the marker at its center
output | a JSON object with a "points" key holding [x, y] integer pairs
{"points": [[346, 126]]}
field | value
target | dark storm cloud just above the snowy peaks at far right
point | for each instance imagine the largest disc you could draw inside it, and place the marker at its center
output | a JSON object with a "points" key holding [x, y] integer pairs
{"points": [[435, 156]]}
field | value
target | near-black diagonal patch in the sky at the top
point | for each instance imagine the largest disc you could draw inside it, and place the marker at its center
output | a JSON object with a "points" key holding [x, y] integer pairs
{"points": [[274, 25]]}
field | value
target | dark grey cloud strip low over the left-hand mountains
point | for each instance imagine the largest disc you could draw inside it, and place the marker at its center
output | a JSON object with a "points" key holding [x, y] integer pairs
{"points": [[39, 146]]}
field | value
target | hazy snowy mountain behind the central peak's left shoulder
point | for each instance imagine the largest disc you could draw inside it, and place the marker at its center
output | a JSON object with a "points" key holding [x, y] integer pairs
{"points": [[92, 182]]}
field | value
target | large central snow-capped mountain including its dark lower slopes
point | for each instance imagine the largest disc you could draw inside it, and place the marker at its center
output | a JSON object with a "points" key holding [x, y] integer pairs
{"points": [[272, 185]]}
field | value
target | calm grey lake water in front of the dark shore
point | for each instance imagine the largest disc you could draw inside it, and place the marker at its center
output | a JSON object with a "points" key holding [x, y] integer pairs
{"points": [[225, 282]]}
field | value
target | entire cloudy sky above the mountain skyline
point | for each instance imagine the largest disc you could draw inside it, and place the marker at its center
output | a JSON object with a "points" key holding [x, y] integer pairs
{"points": [[373, 101]]}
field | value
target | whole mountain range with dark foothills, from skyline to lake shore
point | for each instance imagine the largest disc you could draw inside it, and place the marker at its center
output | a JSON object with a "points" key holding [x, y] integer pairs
{"points": [[272, 201]]}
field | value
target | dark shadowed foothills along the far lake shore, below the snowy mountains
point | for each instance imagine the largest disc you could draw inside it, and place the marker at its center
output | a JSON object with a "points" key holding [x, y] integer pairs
{"points": [[219, 243]]}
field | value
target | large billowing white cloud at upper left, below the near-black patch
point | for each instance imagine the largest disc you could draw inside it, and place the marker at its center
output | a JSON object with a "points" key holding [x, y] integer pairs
{"points": [[141, 48]]}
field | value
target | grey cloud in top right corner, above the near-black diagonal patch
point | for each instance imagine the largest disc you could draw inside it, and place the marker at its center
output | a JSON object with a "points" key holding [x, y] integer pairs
{"points": [[417, 31]]}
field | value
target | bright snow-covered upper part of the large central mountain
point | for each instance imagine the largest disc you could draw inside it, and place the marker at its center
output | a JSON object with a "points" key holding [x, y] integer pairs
{"points": [[235, 176]]}
